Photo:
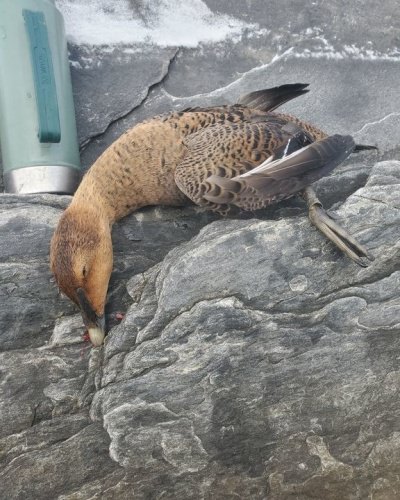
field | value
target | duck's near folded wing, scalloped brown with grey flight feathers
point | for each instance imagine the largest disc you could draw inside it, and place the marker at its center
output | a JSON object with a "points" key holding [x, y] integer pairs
{"points": [[253, 164]]}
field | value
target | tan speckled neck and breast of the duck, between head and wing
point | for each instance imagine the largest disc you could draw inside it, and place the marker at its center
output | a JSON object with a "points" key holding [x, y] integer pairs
{"points": [[135, 171]]}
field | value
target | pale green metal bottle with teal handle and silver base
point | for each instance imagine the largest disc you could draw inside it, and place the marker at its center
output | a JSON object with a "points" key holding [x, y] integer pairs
{"points": [[38, 136]]}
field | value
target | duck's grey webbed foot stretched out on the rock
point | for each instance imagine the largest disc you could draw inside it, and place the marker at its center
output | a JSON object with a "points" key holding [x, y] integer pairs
{"points": [[333, 231]]}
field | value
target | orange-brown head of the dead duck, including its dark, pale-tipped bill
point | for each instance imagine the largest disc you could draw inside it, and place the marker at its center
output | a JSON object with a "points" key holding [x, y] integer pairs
{"points": [[81, 259]]}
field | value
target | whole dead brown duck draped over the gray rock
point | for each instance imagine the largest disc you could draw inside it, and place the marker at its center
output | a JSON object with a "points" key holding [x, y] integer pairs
{"points": [[243, 155]]}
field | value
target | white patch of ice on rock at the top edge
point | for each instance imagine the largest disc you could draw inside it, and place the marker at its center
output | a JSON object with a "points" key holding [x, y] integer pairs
{"points": [[163, 23]]}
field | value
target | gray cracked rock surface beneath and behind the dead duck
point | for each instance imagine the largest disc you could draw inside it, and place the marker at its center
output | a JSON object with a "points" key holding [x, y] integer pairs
{"points": [[254, 361]]}
